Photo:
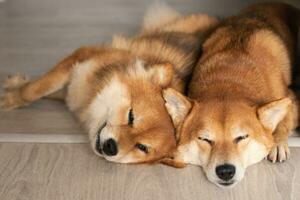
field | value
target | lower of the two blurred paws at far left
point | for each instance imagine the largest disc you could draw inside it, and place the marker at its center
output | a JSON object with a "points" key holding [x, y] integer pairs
{"points": [[12, 99]]}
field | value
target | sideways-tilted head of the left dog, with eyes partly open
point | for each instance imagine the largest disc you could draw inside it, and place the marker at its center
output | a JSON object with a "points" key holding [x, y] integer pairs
{"points": [[126, 119]]}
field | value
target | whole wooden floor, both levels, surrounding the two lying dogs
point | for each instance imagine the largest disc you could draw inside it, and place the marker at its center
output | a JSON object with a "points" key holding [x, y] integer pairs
{"points": [[43, 151]]}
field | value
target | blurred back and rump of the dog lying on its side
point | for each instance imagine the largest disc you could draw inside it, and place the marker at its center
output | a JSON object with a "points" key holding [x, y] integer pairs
{"points": [[175, 39]]}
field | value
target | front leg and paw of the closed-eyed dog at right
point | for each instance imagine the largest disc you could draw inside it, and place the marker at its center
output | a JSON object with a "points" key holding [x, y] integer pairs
{"points": [[280, 151]]}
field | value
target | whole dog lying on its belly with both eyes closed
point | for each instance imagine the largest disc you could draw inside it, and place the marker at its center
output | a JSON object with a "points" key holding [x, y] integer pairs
{"points": [[240, 108]]}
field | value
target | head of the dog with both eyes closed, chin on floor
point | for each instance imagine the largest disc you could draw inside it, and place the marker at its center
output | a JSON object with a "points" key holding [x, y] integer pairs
{"points": [[223, 136]]}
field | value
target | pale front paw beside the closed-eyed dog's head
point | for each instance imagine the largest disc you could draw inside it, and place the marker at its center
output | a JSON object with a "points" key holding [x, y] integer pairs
{"points": [[279, 153]]}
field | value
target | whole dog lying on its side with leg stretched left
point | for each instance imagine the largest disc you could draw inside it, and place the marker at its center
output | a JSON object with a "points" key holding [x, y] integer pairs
{"points": [[116, 91]]}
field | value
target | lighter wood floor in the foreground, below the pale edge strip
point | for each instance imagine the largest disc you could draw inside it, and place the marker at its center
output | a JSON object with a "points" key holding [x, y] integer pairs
{"points": [[65, 171]]}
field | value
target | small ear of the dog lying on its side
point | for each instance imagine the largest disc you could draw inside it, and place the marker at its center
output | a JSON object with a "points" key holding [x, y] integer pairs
{"points": [[162, 74]]}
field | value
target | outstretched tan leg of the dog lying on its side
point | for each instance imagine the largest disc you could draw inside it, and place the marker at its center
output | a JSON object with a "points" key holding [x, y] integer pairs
{"points": [[19, 91]]}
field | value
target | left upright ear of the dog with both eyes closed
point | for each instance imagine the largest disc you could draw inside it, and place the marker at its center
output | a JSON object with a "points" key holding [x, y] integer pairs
{"points": [[177, 105]]}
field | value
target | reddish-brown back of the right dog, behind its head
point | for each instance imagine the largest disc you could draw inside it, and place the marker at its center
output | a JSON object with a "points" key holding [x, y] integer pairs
{"points": [[258, 48]]}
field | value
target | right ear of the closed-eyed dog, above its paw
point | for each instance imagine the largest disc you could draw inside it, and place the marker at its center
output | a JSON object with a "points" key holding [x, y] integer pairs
{"points": [[272, 113]]}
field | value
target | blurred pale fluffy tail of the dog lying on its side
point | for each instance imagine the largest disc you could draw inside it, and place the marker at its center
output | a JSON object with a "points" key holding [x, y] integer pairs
{"points": [[158, 15]]}
